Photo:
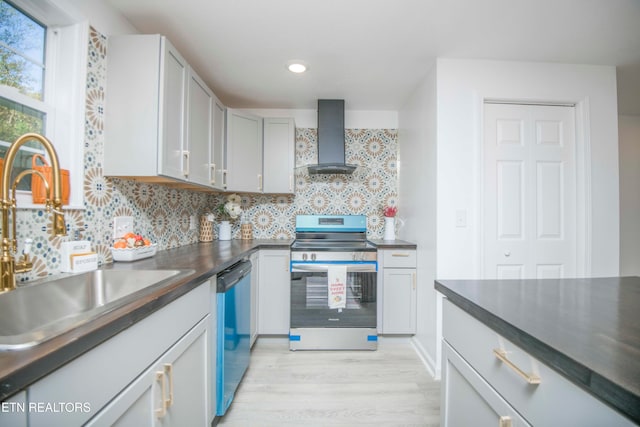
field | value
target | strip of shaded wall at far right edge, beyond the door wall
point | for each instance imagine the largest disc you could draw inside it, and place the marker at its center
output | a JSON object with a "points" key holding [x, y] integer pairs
{"points": [[629, 129]]}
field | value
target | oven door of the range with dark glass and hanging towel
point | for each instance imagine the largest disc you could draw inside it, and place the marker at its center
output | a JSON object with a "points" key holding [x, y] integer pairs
{"points": [[310, 306]]}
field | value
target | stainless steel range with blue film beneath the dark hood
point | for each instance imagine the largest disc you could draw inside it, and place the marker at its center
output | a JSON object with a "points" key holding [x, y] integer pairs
{"points": [[333, 284]]}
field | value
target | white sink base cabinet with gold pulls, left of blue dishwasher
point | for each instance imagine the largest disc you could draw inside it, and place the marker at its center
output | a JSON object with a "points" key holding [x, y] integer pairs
{"points": [[155, 372]]}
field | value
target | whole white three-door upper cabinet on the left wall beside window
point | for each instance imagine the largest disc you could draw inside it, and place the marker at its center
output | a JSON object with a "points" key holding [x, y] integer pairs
{"points": [[163, 123]]}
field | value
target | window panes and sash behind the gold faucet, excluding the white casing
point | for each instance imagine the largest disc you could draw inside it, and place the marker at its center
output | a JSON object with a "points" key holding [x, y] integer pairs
{"points": [[22, 71]]}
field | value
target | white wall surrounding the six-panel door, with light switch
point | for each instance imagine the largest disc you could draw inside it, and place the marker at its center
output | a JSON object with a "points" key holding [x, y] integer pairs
{"points": [[461, 87]]}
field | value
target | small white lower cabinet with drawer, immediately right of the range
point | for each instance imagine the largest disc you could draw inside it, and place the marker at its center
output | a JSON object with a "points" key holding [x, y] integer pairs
{"points": [[399, 291]]}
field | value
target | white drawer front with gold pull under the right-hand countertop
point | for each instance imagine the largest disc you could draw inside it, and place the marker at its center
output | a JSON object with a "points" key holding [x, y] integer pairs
{"points": [[554, 401]]}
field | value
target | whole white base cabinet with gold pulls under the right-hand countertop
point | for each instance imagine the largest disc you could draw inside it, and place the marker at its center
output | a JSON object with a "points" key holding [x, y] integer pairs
{"points": [[480, 388]]}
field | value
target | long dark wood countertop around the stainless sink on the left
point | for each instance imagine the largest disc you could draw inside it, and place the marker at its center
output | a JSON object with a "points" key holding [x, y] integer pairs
{"points": [[20, 368]]}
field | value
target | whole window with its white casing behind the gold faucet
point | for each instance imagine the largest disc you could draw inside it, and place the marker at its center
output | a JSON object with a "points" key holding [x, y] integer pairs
{"points": [[43, 60]]}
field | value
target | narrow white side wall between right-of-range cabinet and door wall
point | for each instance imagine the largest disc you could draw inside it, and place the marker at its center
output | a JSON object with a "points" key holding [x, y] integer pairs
{"points": [[417, 206]]}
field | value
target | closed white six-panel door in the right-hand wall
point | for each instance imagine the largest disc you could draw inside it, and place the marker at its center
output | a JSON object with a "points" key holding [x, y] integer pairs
{"points": [[529, 191]]}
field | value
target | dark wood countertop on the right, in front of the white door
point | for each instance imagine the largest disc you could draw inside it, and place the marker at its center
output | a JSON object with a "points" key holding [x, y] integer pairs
{"points": [[586, 329]]}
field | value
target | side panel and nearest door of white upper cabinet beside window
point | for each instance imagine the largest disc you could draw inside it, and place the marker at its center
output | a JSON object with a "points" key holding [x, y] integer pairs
{"points": [[145, 108]]}
